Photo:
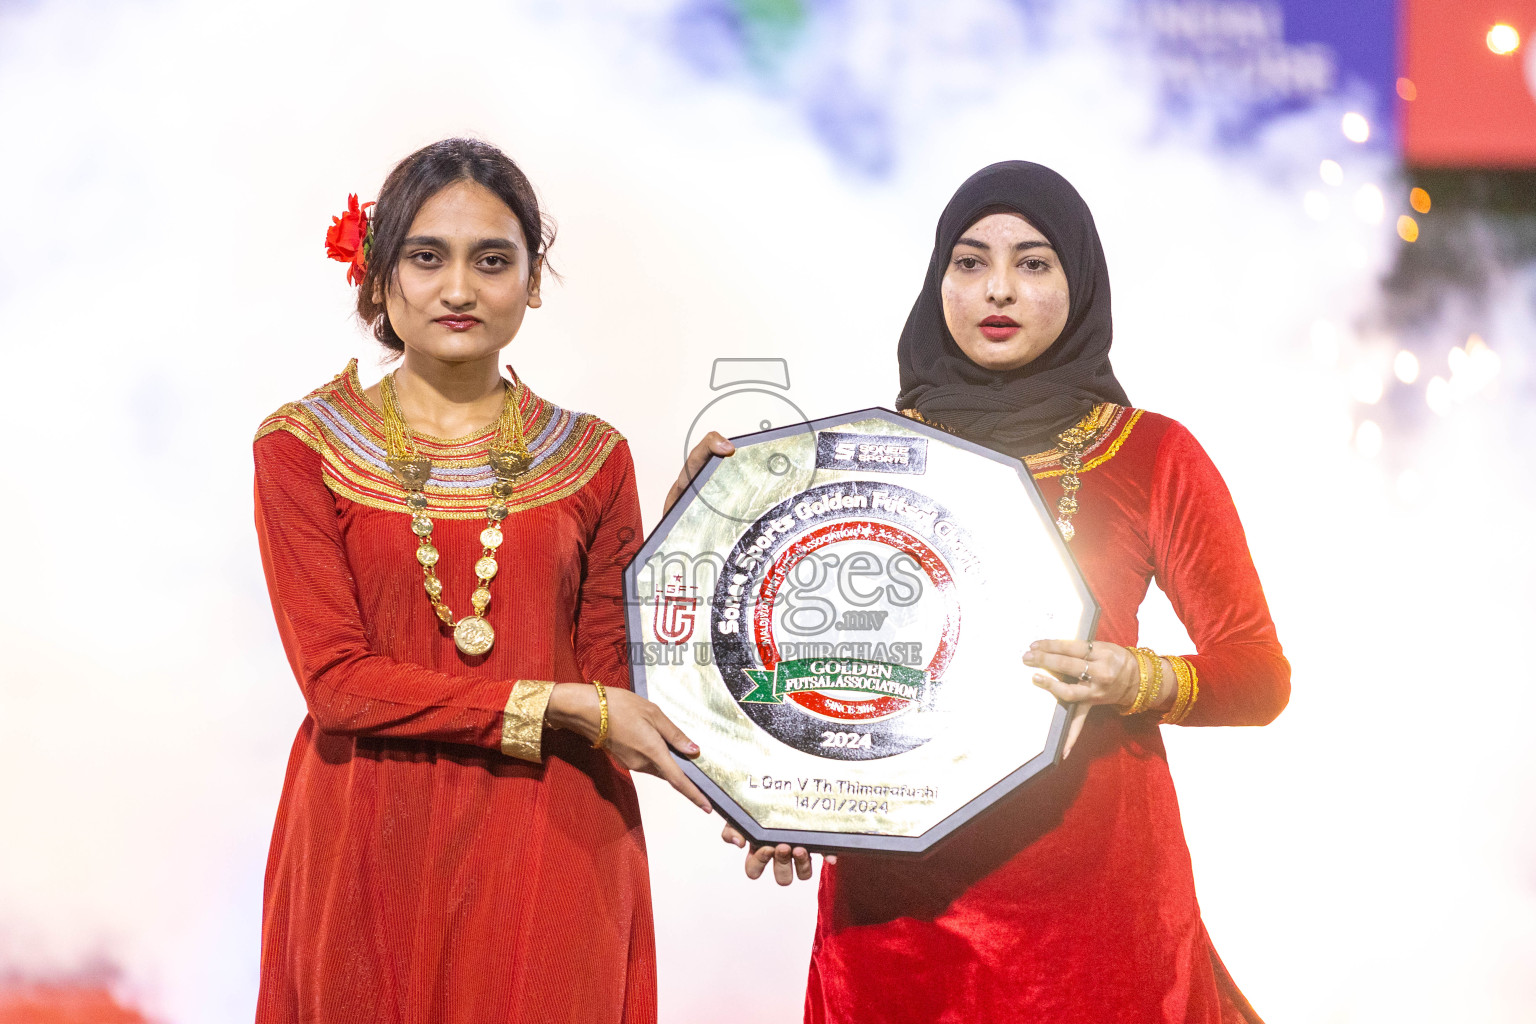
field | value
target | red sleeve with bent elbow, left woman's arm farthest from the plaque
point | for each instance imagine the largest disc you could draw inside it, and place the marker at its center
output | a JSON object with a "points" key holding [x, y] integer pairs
{"points": [[349, 690]]}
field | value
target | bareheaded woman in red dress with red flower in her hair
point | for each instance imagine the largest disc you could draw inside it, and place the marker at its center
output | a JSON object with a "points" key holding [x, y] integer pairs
{"points": [[445, 557]]}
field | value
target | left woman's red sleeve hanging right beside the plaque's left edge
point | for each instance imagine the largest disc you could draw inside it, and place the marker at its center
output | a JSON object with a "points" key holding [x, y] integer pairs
{"points": [[617, 537]]}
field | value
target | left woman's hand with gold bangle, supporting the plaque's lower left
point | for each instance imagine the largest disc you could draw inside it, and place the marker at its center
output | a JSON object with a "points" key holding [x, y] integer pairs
{"points": [[640, 733]]}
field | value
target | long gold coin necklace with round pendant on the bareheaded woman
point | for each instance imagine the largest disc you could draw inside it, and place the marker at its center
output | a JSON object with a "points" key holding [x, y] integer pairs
{"points": [[509, 458]]}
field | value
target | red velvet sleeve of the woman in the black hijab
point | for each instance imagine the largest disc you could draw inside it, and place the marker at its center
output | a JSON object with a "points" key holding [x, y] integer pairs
{"points": [[1203, 566]]}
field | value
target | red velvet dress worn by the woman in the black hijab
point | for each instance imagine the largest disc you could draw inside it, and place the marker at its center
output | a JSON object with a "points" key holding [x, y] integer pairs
{"points": [[1074, 900]]}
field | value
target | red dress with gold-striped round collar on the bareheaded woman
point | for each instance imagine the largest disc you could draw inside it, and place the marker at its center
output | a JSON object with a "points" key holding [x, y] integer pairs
{"points": [[439, 857]]}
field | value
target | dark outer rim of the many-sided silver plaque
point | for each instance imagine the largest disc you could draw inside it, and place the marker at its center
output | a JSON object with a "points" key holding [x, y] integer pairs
{"points": [[856, 842]]}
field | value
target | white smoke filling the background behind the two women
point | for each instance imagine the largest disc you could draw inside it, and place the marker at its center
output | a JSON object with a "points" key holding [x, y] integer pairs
{"points": [[170, 173]]}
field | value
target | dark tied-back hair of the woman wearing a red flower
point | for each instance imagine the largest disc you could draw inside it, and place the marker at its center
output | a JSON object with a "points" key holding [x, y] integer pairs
{"points": [[415, 180]]}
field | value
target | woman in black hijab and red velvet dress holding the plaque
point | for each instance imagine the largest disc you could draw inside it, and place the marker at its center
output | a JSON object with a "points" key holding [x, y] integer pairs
{"points": [[1073, 900]]}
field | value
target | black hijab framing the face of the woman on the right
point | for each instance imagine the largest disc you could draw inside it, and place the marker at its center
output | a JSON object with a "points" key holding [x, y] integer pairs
{"points": [[1019, 412]]}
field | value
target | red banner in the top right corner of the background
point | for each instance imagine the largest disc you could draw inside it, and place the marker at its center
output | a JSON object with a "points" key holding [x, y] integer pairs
{"points": [[1471, 105]]}
